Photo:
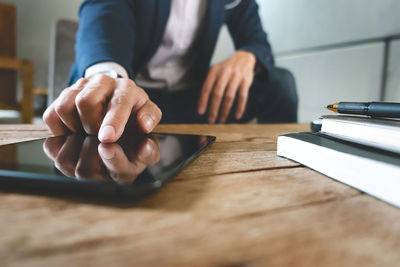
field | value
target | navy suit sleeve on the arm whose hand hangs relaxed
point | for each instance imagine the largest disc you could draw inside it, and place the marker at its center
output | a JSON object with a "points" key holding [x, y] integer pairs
{"points": [[245, 27]]}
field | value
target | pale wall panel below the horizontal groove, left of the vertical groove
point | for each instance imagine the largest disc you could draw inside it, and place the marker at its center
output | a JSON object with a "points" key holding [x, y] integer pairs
{"points": [[343, 74]]}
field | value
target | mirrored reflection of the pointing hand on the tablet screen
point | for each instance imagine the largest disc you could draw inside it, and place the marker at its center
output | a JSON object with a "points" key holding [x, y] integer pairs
{"points": [[84, 157]]}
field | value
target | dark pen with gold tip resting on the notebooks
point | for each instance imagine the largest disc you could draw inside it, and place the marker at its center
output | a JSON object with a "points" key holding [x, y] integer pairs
{"points": [[373, 109]]}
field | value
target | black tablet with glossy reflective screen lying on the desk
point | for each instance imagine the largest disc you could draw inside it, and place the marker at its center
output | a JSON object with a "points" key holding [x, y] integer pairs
{"points": [[79, 166]]}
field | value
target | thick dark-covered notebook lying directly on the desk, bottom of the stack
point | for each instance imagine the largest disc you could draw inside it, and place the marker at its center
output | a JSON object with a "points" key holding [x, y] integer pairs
{"points": [[373, 171]]}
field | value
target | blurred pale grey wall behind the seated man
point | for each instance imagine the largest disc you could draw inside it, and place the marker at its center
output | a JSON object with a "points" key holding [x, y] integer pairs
{"points": [[337, 50]]}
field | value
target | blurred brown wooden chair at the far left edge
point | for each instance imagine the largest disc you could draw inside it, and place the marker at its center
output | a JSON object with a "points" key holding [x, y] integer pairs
{"points": [[10, 65]]}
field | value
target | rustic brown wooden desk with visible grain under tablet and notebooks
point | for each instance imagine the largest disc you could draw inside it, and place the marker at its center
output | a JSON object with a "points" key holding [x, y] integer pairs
{"points": [[237, 204]]}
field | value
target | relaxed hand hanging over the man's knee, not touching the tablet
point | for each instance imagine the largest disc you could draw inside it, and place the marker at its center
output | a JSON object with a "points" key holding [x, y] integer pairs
{"points": [[224, 81]]}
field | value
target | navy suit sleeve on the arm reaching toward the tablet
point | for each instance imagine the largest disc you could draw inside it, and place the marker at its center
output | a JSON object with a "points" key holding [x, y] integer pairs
{"points": [[106, 33]]}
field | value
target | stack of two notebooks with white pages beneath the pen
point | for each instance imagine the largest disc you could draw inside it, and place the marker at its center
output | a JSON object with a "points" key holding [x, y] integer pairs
{"points": [[359, 151]]}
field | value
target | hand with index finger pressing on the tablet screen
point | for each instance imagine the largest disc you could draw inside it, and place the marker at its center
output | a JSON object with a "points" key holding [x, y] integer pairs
{"points": [[103, 106]]}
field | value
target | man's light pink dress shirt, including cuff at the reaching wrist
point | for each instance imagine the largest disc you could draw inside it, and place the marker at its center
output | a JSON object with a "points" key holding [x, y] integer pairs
{"points": [[168, 66]]}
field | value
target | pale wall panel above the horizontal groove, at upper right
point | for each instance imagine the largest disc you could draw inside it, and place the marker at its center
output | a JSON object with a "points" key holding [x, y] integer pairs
{"points": [[298, 24]]}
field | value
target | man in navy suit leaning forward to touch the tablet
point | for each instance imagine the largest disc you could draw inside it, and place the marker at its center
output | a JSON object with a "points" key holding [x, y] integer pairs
{"points": [[142, 58]]}
